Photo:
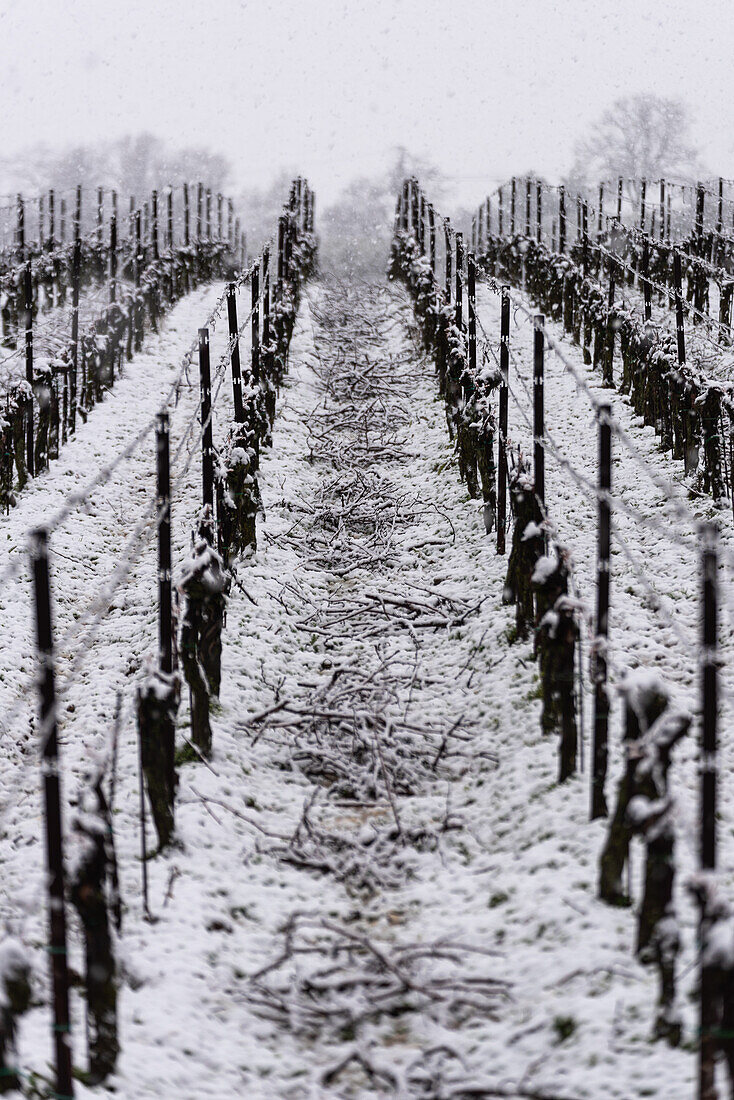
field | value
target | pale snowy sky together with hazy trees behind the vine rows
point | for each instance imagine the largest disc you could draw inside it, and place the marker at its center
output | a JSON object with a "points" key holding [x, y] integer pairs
{"points": [[354, 95]]}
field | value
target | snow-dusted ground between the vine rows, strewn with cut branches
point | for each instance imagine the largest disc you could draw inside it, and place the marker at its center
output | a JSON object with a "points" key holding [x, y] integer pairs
{"points": [[376, 597]]}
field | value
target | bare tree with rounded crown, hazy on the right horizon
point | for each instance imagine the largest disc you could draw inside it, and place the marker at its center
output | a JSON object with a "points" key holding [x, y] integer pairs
{"points": [[639, 137]]}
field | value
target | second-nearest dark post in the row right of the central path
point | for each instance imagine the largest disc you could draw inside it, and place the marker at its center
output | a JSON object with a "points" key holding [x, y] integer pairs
{"points": [[601, 625]]}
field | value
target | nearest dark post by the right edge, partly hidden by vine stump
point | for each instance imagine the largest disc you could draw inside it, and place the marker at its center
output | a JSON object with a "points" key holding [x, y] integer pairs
{"points": [[708, 766]]}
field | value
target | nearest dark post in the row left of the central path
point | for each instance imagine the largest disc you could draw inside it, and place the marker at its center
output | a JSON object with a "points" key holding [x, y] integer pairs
{"points": [[49, 730]]}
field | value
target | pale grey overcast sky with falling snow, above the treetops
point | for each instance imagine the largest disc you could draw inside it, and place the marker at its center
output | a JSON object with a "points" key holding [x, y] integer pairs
{"points": [[327, 87]]}
